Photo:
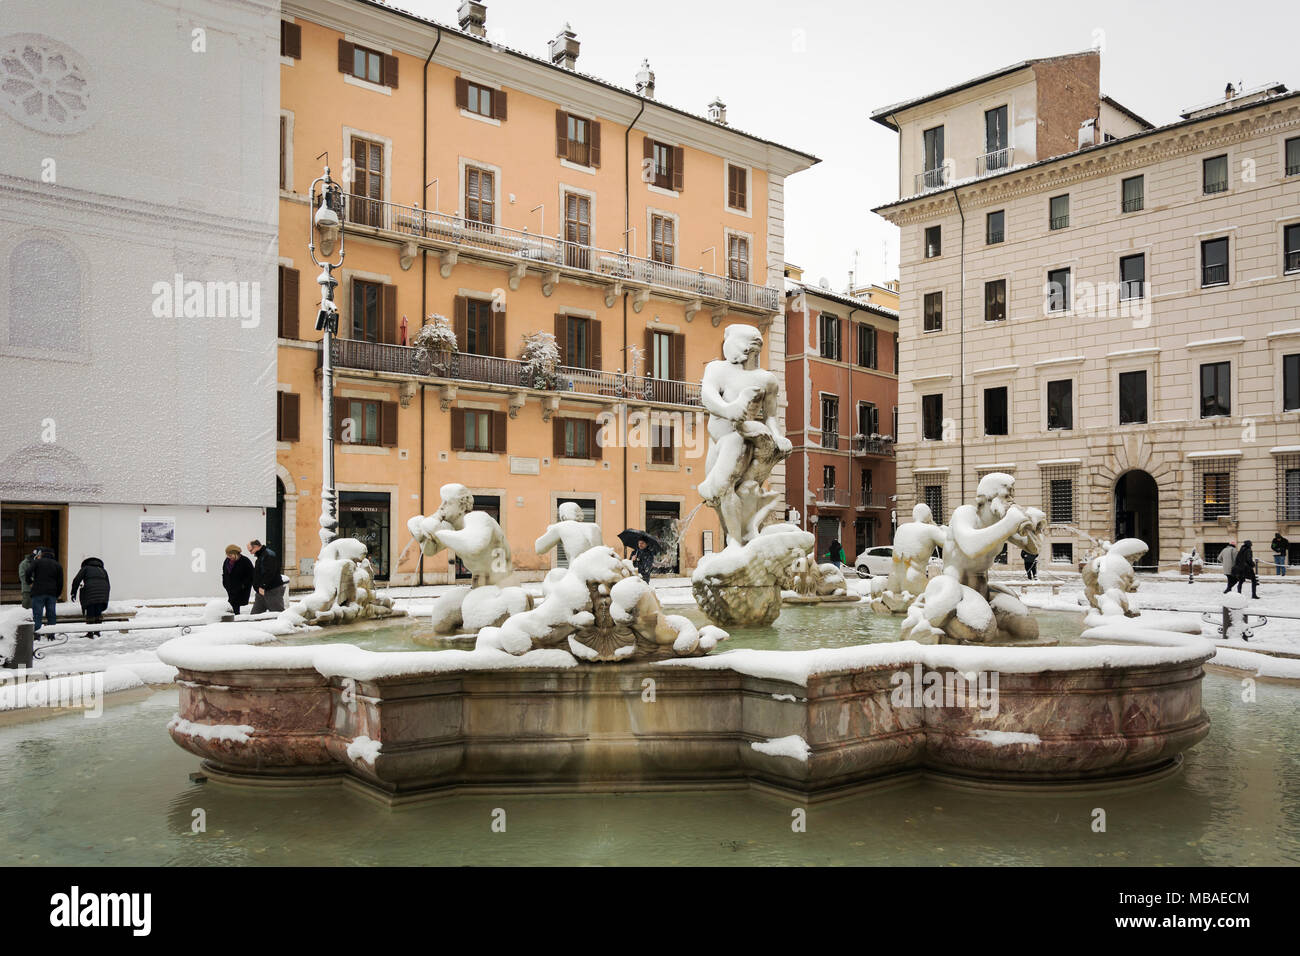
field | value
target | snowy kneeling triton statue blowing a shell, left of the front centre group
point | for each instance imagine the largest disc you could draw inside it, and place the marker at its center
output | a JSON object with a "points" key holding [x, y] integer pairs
{"points": [[482, 546]]}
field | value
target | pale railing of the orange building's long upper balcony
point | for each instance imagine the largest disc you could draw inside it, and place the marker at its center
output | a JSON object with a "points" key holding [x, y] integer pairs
{"points": [[557, 253]]}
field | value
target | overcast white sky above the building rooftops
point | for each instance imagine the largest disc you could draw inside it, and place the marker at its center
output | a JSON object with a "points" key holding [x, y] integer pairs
{"points": [[1158, 59]]}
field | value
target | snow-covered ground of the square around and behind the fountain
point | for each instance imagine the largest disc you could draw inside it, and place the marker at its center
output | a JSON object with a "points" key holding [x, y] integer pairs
{"points": [[136, 654]]}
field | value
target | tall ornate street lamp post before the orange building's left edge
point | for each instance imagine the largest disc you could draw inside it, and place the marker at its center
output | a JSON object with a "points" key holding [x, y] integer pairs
{"points": [[327, 224]]}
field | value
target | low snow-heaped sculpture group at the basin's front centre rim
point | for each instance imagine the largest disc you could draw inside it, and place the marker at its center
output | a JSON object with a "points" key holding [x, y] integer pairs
{"points": [[601, 611]]}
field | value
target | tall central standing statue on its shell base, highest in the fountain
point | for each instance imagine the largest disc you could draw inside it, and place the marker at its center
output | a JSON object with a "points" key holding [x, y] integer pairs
{"points": [[742, 583]]}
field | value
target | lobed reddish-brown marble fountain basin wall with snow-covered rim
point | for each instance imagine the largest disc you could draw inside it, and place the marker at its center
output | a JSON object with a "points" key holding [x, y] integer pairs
{"points": [[405, 726]]}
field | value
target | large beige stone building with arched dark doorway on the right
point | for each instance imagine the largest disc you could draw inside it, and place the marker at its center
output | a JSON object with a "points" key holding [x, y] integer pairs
{"points": [[1112, 317]]}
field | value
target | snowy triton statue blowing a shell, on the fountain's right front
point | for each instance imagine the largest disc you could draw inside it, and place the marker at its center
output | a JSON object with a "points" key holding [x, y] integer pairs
{"points": [[960, 607]]}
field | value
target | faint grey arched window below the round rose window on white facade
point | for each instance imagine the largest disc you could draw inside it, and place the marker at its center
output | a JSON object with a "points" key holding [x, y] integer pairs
{"points": [[45, 297]]}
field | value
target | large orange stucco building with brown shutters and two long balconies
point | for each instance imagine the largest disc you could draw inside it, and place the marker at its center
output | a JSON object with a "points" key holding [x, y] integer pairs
{"points": [[510, 196]]}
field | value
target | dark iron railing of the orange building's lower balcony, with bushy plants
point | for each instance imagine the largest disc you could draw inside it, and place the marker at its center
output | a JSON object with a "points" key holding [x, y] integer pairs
{"points": [[491, 370]]}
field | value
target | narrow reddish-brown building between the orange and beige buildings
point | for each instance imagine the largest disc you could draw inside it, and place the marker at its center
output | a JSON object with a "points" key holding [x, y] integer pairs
{"points": [[842, 382]]}
